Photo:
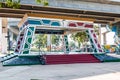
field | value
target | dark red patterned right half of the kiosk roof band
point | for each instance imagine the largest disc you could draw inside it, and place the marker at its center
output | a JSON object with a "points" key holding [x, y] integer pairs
{"points": [[80, 24]]}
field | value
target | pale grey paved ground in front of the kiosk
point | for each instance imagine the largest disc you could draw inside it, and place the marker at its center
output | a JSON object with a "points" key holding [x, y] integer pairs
{"points": [[92, 71]]}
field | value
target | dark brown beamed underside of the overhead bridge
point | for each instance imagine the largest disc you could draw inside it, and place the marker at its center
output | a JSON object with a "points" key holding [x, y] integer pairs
{"points": [[84, 15]]}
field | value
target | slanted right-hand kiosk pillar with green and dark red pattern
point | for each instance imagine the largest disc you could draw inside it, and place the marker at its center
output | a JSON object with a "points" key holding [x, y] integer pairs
{"points": [[94, 42]]}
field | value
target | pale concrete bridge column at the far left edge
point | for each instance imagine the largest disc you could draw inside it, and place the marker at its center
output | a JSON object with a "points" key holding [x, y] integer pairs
{"points": [[4, 35]]}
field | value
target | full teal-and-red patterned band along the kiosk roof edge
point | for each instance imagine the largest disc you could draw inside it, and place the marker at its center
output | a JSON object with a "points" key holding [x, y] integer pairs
{"points": [[56, 23]]}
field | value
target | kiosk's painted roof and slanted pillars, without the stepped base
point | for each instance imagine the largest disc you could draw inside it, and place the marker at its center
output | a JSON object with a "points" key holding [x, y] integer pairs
{"points": [[32, 25]]}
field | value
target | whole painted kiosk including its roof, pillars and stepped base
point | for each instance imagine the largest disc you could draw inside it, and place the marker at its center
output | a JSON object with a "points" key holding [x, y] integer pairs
{"points": [[40, 24]]}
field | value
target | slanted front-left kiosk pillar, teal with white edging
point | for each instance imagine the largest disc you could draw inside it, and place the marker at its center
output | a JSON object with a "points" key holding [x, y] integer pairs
{"points": [[27, 40]]}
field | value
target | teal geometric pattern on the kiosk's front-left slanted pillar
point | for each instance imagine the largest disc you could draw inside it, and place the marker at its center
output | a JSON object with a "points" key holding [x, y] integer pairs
{"points": [[28, 40]]}
